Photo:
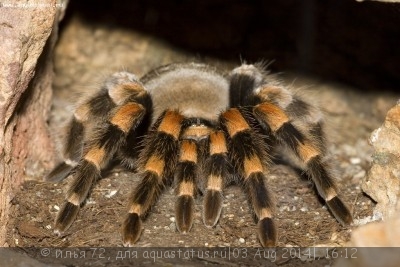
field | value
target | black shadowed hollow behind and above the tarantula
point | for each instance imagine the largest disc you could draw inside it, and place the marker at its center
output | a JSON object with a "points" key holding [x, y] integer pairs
{"points": [[357, 43]]}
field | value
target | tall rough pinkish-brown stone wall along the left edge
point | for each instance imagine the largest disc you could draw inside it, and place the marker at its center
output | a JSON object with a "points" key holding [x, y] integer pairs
{"points": [[29, 32]]}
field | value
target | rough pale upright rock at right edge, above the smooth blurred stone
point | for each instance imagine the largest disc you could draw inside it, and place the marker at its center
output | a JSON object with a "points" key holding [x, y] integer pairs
{"points": [[382, 182]]}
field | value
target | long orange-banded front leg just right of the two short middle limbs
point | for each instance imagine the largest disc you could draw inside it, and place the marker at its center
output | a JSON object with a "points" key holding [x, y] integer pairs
{"points": [[248, 153]]}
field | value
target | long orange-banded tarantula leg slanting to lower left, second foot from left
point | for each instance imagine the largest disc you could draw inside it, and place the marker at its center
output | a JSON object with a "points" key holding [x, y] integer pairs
{"points": [[97, 154]]}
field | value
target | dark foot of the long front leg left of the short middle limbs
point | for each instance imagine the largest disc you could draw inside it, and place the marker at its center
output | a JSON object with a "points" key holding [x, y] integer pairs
{"points": [[131, 229]]}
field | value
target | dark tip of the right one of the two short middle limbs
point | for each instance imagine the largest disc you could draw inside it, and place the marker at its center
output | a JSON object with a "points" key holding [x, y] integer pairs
{"points": [[212, 207]]}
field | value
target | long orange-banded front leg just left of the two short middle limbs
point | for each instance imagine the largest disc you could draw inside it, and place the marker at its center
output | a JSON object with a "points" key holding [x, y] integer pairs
{"points": [[157, 163]]}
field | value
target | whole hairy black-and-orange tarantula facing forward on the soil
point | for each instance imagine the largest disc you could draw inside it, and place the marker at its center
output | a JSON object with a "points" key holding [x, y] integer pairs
{"points": [[189, 125]]}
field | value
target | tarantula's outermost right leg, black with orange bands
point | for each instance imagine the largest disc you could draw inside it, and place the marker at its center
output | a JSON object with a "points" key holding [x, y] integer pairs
{"points": [[307, 143]]}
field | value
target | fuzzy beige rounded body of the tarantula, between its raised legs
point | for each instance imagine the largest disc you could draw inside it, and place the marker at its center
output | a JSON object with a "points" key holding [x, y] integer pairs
{"points": [[196, 91]]}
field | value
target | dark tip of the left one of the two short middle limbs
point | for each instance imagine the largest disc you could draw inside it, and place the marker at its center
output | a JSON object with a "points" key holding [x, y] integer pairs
{"points": [[184, 213]]}
